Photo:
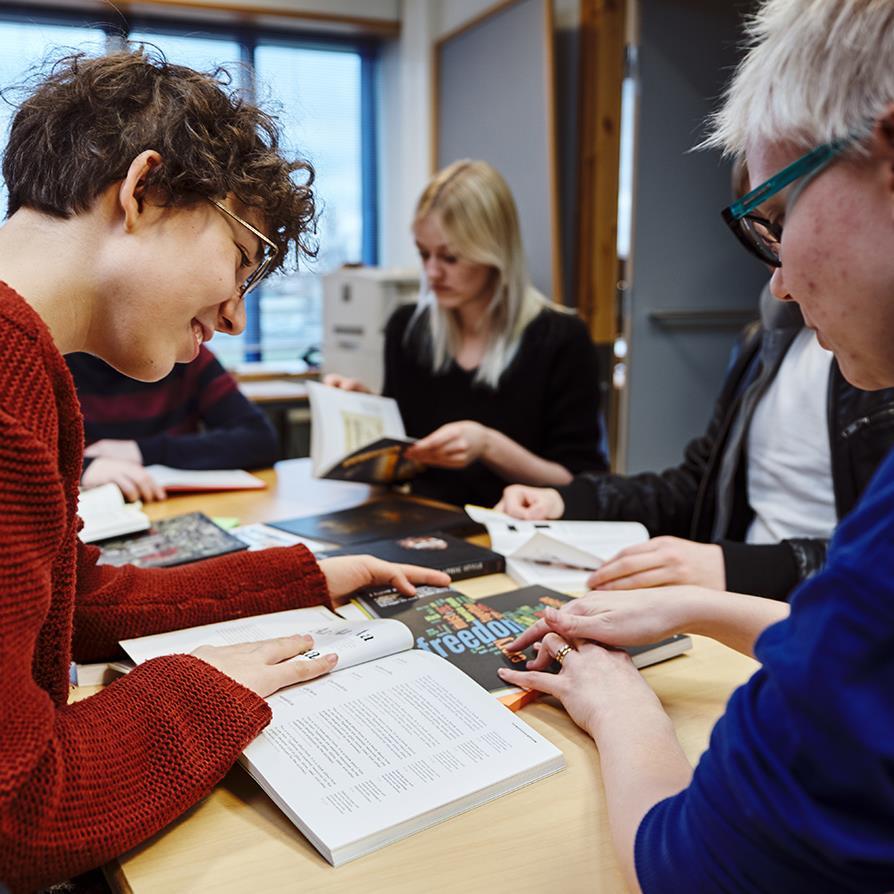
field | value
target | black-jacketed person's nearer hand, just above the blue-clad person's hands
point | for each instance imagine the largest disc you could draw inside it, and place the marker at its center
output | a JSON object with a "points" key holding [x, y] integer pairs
{"points": [[661, 562]]}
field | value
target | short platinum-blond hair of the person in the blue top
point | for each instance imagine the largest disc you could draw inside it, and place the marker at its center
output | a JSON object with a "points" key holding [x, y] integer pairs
{"points": [[815, 71]]}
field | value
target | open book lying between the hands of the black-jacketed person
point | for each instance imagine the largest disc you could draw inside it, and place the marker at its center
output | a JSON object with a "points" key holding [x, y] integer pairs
{"points": [[557, 554]]}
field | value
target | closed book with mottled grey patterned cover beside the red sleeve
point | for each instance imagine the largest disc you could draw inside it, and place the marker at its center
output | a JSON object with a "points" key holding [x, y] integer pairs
{"points": [[171, 541]]}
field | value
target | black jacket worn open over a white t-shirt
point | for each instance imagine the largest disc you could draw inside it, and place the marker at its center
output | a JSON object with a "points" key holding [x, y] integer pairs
{"points": [[683, 501]]}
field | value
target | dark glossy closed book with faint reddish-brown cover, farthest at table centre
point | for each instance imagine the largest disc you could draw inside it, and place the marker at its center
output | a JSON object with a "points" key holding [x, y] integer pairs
{"points": [[391, 518]]}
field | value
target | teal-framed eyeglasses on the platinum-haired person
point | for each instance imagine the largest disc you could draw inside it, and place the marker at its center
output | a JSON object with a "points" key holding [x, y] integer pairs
{"points": [[760, 235]]}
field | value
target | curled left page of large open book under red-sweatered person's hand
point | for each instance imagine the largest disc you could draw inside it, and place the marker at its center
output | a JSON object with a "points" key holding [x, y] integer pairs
{"points": [[353, 641]]}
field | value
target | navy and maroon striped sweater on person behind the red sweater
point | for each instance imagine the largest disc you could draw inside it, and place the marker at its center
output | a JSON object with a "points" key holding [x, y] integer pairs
{"points": [[194, 418]]}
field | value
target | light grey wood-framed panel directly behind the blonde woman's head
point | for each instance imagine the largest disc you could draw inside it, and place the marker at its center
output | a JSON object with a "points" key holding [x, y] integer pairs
{"points": [[492, 105]]}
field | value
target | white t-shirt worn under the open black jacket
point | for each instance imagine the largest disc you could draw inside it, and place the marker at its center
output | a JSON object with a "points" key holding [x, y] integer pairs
{"points": [[789, 459]]}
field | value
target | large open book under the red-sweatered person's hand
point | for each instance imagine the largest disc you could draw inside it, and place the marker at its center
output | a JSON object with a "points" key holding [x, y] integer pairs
{"points": [[393, 741]]}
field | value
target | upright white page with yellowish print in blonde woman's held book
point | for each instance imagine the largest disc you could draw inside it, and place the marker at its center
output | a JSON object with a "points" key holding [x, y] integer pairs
{"points": [[346, 421]]}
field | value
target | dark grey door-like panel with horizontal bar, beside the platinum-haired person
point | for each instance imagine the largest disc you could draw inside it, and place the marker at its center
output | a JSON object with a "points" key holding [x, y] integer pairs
{"points": [[683, 255]]}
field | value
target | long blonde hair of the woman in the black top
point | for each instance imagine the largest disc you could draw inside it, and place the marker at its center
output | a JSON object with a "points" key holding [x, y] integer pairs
{"points": [[475, 208]]}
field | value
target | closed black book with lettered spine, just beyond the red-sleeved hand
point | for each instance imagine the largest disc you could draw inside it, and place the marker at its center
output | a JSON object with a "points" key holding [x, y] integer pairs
{"points": [[443, 552]]}
